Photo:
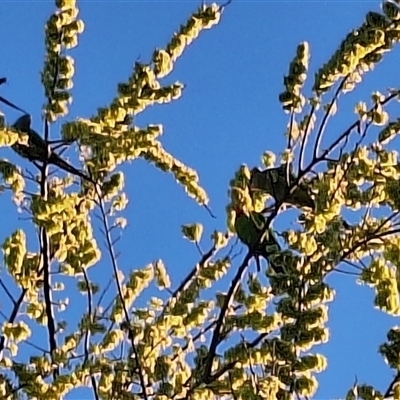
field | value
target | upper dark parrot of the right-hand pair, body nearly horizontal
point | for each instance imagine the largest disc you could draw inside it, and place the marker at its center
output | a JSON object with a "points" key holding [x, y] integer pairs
{"points": [[274, 182]]}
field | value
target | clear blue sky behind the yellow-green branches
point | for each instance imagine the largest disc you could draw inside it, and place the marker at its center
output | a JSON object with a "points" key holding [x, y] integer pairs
{"points": [[229, 114]]}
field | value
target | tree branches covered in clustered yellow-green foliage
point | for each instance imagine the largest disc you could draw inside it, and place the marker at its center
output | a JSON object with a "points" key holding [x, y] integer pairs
{"points": [[172, 348]]}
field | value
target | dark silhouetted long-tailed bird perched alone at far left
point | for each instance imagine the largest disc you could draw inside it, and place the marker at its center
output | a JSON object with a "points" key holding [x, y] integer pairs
{"points": [[38, 150]]}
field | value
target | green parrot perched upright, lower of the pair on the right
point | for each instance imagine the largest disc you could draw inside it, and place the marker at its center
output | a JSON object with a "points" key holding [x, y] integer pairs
{"points": [[248, 228]]}
